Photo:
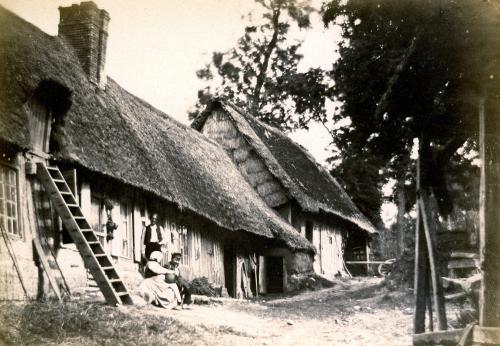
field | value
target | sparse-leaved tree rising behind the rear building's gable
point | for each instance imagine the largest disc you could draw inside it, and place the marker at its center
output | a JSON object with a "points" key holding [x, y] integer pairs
{"points": [[261, 73]]}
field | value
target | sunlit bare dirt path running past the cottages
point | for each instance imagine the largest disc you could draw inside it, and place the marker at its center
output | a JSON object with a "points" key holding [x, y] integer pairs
{"points": [[360, 312]]}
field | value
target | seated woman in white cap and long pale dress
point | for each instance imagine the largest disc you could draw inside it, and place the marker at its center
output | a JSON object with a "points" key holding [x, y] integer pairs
{"points": [[154, 289]]}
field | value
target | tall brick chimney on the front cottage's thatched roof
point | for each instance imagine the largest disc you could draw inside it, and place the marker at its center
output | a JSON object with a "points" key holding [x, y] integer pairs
{"points": [[85, 28]]}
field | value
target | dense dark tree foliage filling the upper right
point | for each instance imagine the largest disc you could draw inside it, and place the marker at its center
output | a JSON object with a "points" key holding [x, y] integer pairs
{"points": [[411, 69]]}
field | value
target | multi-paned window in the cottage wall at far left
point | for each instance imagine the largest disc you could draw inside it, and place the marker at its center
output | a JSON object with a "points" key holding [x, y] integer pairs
{"points": [[9, 209]]}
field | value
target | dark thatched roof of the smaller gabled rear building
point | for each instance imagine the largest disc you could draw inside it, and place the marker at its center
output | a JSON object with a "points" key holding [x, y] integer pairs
{"points": [[307, 181]]}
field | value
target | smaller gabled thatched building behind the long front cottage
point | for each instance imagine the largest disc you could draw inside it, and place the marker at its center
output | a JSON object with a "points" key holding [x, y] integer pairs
{"points": [[288, 178]]}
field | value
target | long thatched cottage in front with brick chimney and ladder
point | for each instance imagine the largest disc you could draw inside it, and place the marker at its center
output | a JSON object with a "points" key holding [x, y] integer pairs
{"points": [[120, 158]]}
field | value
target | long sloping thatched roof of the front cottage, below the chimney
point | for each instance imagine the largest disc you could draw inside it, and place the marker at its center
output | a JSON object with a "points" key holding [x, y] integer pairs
{"points": [[116, 134]]}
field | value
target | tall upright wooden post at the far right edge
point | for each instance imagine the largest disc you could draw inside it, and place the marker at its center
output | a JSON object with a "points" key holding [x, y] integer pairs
{"points": [[489, 215]]}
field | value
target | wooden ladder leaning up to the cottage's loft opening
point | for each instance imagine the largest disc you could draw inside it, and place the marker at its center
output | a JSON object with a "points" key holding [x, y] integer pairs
{"points": [[91, 250]]}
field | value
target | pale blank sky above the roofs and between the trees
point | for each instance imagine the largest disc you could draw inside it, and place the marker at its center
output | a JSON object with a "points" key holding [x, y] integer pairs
{"points": [[156, 46]]}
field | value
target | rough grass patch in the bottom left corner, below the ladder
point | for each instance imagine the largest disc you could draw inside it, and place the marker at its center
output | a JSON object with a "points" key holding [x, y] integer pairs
{"points": [[51, 323]]}
